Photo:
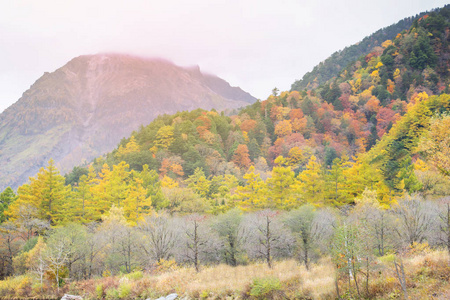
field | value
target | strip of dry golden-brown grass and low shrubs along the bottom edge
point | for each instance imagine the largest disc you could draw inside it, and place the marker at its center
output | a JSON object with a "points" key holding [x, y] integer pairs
{"points": [[427, 275]]}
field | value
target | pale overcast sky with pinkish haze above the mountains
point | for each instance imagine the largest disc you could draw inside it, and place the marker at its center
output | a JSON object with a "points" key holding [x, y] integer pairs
{"points": [[254, 44]]}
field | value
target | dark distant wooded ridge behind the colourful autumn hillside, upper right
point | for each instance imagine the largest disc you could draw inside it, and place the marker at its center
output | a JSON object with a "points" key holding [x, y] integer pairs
{"points": [[337, 61]]}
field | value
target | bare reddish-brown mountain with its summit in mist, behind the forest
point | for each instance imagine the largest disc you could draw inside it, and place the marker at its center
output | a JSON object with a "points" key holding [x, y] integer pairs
{"points": [[84, 108]]}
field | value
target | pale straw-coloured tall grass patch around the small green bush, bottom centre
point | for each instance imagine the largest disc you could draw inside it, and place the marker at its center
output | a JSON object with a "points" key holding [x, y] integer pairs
{"points": [[223, 280]]}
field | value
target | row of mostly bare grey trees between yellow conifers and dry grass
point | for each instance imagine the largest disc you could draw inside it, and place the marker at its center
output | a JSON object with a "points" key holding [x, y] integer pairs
{"points": [[352, 236]]}
